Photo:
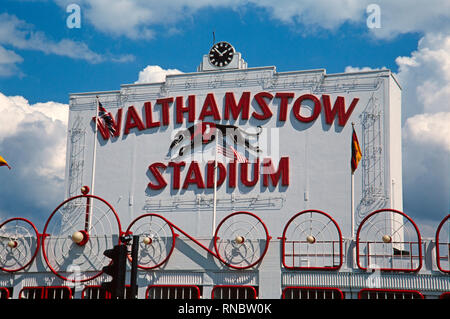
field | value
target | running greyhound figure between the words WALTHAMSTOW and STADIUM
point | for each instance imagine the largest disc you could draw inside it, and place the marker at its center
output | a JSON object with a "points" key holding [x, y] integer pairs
{"points": [[206, 133]]}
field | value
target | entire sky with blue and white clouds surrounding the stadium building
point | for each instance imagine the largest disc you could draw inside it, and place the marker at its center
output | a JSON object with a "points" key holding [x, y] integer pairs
{"points": [[42, 61]]}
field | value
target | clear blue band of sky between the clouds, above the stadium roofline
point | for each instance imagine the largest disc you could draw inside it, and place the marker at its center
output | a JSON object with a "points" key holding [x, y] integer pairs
{"points": [[262, 39]]}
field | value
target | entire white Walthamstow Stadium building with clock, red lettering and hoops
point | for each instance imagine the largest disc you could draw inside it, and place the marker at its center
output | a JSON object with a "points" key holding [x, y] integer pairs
{"points": [[239, 183]]}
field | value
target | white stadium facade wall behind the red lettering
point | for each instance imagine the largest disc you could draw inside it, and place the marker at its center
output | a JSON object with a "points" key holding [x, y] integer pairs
{"points": [[319, 154]]}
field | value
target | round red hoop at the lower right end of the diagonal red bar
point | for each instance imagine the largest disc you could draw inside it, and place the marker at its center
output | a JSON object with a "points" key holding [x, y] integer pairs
{"points": [[241, 240]]}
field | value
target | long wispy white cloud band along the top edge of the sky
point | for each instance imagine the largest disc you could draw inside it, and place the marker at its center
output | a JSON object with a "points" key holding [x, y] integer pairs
{"points": [[138, 19]]}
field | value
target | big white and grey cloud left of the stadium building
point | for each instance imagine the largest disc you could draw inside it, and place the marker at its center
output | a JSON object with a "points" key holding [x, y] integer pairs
{"points": [[33, 140]]}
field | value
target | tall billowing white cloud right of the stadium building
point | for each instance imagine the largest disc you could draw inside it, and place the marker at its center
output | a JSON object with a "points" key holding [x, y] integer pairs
{"points": [[425, 79]]}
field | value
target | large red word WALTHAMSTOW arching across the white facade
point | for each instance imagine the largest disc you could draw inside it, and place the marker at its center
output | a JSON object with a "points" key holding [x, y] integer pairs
{"points": [[232, 110]]}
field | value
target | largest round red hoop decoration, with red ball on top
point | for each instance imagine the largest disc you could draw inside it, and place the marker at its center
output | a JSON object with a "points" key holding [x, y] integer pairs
{"points": [[76, 235]]}
